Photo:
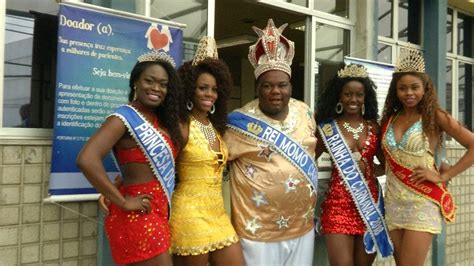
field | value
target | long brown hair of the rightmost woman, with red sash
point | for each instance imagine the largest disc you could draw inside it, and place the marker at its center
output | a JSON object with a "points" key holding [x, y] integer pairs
{"points": [[428, 106]]}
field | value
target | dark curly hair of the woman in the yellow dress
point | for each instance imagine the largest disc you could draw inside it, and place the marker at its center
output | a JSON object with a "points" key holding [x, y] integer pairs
{"points": [[220, 71]]}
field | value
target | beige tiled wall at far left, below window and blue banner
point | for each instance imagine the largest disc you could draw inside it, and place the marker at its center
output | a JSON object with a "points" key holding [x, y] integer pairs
{"points": [[37, 233]]}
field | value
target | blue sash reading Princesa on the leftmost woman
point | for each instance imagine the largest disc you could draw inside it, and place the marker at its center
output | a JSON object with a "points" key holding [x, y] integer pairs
{"points": [[153, 145]]}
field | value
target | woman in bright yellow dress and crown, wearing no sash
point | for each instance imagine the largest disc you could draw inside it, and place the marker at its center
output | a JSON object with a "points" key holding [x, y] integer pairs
{"points": [[200, 227]]}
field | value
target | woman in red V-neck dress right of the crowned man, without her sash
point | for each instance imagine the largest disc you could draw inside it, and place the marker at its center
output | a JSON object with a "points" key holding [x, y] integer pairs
{"points": [[349, 99]]}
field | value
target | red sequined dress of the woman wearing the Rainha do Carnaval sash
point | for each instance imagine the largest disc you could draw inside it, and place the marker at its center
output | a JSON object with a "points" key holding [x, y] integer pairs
{"points": [[339, 213]]}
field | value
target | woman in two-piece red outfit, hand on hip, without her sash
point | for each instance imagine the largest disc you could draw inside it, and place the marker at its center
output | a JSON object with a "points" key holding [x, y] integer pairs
{"points": [[137, 224]]}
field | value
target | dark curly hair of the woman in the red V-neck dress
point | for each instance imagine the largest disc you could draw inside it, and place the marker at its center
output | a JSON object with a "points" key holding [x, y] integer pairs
{"points": [[329, 97]]}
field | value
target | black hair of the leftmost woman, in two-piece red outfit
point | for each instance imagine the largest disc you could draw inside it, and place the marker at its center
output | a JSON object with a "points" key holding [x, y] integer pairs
{"points": [[168, 111]]}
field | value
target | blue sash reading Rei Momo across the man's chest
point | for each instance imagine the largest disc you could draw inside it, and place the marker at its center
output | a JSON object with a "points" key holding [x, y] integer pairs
{"points": [[283, 144]]}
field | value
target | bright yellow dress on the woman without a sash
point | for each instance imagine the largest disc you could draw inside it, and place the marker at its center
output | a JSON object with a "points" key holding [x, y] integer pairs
{"points": [[199, 223]]}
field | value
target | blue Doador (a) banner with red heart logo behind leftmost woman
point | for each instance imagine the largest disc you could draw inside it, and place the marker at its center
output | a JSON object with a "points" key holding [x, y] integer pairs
{"points": [[96, 53]]}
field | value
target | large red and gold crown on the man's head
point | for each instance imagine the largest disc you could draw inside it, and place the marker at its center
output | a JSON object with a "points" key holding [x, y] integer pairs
{"points": [[272, 51]]}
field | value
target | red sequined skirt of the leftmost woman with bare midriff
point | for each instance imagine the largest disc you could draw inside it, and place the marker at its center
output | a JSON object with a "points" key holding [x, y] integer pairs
{"points": [[137, 236]]}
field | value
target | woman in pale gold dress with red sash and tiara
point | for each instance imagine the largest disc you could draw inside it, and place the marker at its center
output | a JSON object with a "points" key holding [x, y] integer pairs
{"points": [[416, 196]]}
